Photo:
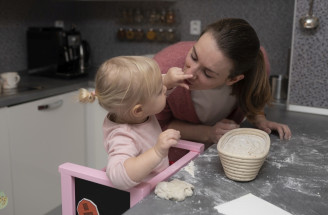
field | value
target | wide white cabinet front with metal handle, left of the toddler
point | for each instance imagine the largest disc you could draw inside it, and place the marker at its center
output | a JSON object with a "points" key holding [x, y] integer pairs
{"points": [[44, 134]]}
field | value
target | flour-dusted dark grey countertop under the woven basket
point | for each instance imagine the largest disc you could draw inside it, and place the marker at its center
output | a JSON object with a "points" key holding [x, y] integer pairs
{"points": [[294, 176]]}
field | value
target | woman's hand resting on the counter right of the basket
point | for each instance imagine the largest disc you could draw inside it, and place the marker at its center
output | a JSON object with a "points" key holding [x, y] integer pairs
{"points": [[262, 123]]}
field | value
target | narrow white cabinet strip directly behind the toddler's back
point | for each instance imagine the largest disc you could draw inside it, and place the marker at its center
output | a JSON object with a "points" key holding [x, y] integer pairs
{"points": [[96, 154]]}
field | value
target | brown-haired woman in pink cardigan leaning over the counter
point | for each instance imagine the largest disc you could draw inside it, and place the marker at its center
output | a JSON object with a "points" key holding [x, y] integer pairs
{"points": [[229, 82]]}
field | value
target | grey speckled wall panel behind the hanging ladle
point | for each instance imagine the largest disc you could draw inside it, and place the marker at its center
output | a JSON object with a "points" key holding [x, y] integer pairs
{"points": [[308, 84]]}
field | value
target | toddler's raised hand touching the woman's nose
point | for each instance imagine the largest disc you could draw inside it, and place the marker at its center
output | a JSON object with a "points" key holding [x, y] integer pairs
{"points": [[175, 77]]}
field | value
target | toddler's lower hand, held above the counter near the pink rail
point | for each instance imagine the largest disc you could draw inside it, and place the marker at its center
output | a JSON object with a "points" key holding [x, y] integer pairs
{"points": [[166, 139]]}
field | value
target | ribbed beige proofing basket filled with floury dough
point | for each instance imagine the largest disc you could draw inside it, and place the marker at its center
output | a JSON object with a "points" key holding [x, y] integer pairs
{"points": [[242, 152]]}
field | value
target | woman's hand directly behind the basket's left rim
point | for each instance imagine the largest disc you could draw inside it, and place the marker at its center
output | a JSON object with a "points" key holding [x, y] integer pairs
{"points": [[220, 128]]}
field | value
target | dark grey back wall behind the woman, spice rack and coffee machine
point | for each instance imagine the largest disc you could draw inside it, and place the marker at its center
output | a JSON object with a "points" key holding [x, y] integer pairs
{"points": [[97, 20]]}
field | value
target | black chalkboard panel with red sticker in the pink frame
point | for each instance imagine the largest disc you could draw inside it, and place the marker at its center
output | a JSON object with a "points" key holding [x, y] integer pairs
{"points": [[107, 200]]}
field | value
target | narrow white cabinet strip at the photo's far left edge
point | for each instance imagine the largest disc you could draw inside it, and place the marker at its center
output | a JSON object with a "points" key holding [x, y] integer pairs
{"points": [[5, 172]]}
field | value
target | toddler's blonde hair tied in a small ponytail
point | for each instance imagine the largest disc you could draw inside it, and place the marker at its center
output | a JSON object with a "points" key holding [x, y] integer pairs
{"points": [[123, 82]]}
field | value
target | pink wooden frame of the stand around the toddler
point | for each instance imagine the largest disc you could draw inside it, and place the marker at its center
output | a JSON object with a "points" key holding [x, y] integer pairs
{"points": [[69, 172]]}
